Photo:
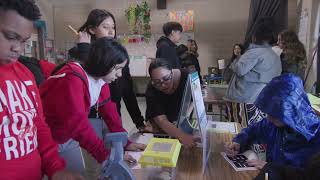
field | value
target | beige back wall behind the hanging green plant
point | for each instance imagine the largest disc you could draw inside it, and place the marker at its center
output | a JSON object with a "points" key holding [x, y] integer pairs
{"points": [[218, 23]]}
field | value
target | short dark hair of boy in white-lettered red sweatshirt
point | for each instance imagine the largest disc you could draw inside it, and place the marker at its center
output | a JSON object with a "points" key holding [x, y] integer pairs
{"points": [[26, 8]]}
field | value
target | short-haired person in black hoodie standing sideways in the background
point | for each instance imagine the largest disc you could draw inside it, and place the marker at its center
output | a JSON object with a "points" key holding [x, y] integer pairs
{"points": [[166, 45]]}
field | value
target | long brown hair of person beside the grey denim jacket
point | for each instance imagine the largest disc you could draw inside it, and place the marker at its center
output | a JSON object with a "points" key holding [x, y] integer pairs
{"points": [[293, 49]]}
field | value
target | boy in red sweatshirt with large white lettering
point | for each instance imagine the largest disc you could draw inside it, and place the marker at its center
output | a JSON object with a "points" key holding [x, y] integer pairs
{"points": [[27, 150]]}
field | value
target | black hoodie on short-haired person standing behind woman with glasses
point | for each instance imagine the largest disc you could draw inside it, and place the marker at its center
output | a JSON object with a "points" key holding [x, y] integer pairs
{"points": [[166, 49]]}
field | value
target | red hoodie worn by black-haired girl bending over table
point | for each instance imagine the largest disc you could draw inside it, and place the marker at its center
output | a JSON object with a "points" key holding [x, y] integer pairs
{"points": [[66, 102]]}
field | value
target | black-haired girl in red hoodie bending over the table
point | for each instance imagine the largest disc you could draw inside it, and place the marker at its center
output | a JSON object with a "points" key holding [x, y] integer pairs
{"points": [[68, 95]]}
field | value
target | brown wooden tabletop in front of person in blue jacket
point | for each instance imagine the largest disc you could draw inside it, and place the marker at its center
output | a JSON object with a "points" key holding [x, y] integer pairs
{"points": [[189, 165]]}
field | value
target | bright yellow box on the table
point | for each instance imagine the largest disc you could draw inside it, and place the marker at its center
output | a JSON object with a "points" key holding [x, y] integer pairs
{"points": [[161, 152]]}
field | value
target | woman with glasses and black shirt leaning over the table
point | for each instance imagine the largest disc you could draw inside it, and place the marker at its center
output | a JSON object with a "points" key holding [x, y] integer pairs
{"points": [[163, 97]]}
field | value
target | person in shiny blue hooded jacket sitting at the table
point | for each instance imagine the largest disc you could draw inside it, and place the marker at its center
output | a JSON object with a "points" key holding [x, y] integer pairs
{"points": [[291, 129]]}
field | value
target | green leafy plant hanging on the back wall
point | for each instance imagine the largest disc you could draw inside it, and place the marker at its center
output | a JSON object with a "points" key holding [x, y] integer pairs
{"points": [[138, 17]]}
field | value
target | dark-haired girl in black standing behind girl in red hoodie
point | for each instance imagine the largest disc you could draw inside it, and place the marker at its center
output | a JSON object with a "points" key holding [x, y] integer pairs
{"points": [[122, 87]]}
